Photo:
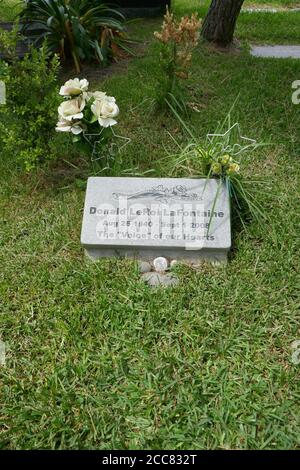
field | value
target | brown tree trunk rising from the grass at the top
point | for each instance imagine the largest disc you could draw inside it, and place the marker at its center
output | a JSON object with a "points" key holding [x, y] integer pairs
{"points": [[220, 21]]}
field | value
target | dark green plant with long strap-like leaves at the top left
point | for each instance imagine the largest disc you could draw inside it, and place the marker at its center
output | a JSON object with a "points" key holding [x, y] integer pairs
{"points": [[81, 29]]}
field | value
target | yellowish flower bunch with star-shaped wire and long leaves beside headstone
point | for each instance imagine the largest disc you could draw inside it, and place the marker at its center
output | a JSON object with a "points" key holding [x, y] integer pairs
{"points": [[220, 157]]}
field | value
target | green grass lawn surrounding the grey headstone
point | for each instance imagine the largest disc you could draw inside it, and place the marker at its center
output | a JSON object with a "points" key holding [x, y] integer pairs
{"points": [[95, 359]]}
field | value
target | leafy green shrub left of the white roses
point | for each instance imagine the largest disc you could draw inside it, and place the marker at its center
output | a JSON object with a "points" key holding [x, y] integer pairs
{"points": [[28, 118]]}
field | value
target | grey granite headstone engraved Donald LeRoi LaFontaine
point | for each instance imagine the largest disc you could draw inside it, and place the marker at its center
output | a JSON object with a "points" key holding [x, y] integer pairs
{"points": [[179, 218]]}
